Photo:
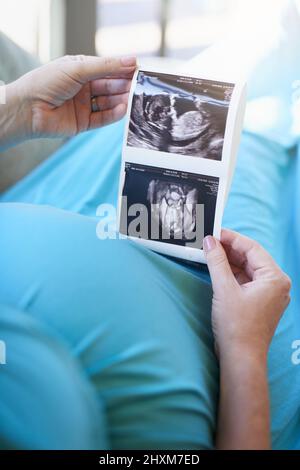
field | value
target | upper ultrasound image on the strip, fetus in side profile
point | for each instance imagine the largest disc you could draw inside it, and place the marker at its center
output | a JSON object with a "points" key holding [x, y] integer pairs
{"points": [[179, 115]]}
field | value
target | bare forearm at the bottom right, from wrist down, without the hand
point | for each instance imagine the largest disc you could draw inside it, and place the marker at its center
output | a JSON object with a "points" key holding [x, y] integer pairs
{"points": [[244, 416]]}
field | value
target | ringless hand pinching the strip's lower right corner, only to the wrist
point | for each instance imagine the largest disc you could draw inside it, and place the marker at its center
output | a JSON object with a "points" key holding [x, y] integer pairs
{"points": [[250, 294]]}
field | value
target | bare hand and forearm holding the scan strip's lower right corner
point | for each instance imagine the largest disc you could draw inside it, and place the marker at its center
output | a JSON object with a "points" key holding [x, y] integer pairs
{"points": [[250, 295]]}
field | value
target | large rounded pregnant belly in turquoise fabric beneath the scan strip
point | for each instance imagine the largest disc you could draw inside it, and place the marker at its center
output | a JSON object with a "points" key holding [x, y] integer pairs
{"points": [[138, 323]]}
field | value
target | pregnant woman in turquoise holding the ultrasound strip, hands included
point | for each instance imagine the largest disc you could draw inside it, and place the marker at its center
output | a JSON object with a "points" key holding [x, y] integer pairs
{"points": [[110, 345]]}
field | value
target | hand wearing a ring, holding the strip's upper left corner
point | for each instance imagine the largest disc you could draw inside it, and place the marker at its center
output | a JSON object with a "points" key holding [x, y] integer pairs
{"points": [[55, 100]]}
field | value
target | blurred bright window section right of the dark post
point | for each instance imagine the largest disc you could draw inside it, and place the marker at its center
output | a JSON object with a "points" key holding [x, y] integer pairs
{"points": [[174, 28]]}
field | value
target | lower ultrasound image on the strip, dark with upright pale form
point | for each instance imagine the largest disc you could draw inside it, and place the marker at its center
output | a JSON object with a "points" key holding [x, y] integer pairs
{"points": [[170, 199]]}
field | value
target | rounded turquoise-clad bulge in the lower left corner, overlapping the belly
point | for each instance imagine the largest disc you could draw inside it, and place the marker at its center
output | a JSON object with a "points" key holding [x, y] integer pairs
{"points": [[46, 402]]}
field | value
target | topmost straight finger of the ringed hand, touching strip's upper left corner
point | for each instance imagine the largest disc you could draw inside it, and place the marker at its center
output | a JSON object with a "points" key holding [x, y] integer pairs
{"points": [[86, 68]]}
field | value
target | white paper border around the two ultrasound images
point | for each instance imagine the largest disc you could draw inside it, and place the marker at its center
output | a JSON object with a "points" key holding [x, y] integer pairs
{"points": [[224, 169]]}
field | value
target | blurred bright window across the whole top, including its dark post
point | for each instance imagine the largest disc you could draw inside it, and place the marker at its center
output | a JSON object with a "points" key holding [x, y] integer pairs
{"points": [[173, 28]]}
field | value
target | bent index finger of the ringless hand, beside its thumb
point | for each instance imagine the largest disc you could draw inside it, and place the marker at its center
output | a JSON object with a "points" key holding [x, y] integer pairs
{"points": [[247, 253]]}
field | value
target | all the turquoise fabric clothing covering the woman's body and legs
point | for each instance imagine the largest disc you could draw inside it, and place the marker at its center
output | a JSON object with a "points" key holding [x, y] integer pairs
{"points": [[135, 324]]}
